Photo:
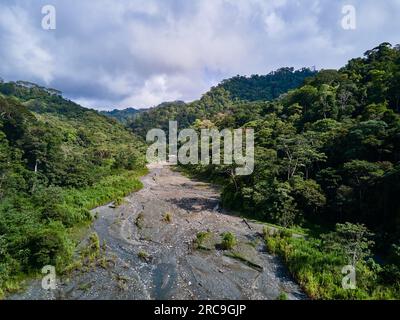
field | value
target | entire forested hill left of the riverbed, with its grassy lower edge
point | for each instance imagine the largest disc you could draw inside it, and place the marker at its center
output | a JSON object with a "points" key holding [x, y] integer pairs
{"points": [[58, 160]]}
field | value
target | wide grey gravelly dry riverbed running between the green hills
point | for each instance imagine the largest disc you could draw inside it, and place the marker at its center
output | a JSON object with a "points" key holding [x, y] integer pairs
{"points": [[148, 250]]}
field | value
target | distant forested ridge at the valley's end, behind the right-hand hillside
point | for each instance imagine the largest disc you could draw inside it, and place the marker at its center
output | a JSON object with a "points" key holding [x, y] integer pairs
{"points": [[220, 100]]}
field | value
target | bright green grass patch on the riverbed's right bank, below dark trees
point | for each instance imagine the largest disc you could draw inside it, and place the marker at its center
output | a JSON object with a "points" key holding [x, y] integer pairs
{"points": [[318, 271]]}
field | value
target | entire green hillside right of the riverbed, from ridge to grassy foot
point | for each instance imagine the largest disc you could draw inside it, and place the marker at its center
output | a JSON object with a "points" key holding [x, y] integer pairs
{"points": [[327, 159]]}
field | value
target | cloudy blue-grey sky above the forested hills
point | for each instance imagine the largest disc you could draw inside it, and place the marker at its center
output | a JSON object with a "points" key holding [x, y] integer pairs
{"points": [[108, 54]]}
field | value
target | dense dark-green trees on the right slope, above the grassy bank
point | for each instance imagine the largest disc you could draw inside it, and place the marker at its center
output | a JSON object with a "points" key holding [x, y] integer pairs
{"points": [[326, 152]]}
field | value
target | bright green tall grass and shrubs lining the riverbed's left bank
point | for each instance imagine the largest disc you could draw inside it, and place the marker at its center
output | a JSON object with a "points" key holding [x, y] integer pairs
{"points": [[39, 233]]}
